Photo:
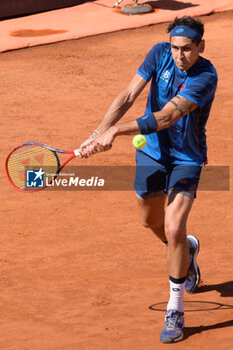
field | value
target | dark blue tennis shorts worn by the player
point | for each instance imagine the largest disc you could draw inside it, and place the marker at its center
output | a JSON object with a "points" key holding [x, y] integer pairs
{"points": [[155, 178]]}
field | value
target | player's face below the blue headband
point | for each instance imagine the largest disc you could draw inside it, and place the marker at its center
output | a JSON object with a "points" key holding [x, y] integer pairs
{"points": [[185, 53]]}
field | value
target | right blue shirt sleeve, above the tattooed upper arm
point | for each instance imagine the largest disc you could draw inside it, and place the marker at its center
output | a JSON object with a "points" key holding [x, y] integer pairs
{"points": [[200, 88]]}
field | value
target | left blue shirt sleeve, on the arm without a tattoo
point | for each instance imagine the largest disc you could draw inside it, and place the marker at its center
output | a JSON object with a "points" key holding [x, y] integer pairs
{"points": [[148, 68]]}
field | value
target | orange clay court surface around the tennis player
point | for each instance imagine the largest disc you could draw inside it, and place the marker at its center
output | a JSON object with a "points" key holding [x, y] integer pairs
{"points": [[78, 272]]}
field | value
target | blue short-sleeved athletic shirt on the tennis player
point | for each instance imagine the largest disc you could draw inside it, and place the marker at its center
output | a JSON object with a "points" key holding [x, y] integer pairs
{"points": [[184, 142]]}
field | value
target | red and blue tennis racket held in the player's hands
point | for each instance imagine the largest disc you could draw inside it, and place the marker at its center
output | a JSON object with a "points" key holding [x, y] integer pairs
{"points": [[26, 164]]}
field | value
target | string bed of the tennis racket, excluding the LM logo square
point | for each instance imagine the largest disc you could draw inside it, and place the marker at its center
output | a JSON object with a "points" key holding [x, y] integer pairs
{"points": [[32, 157]]}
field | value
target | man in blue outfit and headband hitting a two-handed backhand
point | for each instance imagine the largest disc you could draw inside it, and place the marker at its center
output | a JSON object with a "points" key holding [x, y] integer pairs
{"points": [[182, 90]]}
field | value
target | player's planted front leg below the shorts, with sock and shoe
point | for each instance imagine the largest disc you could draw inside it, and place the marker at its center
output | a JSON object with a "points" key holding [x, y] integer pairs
{"points": [[176, 215]]}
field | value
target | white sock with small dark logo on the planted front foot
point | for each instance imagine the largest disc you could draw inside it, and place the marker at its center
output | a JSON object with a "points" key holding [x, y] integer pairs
{"points": [[176, 301]]}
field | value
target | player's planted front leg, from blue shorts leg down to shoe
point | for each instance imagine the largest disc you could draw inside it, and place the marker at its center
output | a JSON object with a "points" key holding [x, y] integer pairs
{"points": [[183, 181]]}
